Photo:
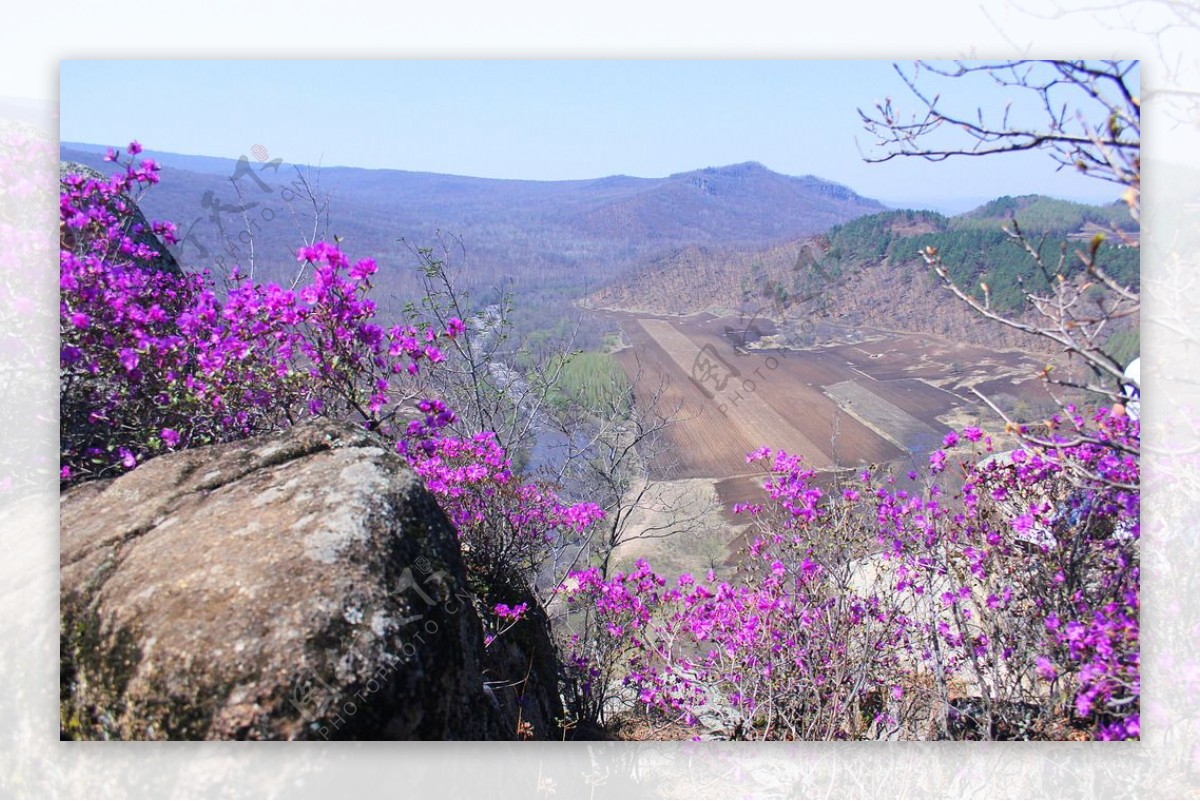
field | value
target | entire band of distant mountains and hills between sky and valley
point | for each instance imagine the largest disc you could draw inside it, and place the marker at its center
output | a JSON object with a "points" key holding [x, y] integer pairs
{"points": [[719, 238]]}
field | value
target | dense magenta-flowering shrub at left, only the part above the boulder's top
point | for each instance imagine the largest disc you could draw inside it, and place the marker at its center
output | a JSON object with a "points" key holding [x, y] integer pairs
{"points": [[157, 362]]}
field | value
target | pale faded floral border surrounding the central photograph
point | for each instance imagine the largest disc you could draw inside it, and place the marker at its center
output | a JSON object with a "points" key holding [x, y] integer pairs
{"points": [[1167, 763]]}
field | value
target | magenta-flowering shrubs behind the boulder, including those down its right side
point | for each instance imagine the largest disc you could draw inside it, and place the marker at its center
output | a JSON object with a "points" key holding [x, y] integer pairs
{"points": [[154, 362]]}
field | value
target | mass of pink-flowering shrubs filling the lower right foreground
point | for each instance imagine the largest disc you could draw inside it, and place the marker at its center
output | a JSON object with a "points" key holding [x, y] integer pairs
{"points": [[884, 612]]}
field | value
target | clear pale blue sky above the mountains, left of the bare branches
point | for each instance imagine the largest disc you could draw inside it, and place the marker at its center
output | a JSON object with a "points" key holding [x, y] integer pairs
{"points": [[545, 121]]}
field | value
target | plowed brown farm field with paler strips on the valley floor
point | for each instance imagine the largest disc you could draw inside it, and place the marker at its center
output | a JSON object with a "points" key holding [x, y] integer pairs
{"points": [[839, 406]]}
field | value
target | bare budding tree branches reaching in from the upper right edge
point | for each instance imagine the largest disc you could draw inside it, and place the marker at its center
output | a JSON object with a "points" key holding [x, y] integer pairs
{"points": [[1090, 122]]}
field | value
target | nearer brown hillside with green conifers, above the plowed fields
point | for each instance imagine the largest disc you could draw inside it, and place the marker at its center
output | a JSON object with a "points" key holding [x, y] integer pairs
{"points": [[869, 272]]}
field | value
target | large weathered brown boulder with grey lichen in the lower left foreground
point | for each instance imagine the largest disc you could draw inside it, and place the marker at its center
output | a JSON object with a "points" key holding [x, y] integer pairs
{"points": [[301, 586]]}
